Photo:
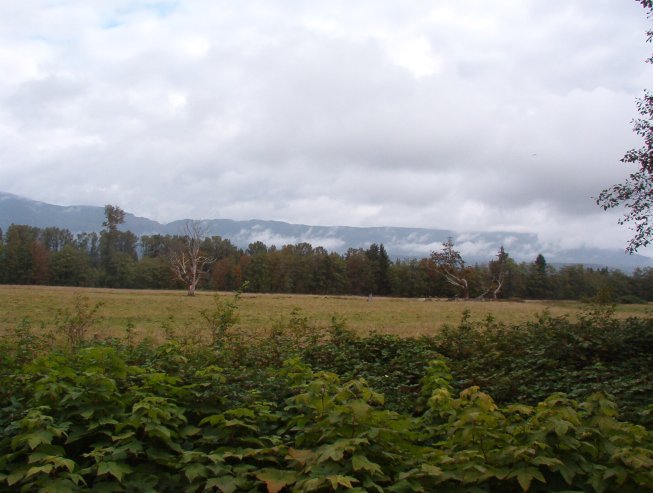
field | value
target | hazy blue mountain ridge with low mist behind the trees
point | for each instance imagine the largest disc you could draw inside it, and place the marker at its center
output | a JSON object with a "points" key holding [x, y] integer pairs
{"points": [[399, 242]]}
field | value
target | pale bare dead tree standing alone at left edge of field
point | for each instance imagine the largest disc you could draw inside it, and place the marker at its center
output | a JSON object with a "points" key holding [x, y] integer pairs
{"points": [[186, 260]]}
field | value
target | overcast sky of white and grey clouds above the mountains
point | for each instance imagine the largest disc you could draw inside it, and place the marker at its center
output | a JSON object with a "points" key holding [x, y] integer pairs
{"points": [[471, 115]]}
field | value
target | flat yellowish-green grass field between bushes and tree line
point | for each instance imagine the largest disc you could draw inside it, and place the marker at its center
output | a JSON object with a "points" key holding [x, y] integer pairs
{"points": [[149, 311]]}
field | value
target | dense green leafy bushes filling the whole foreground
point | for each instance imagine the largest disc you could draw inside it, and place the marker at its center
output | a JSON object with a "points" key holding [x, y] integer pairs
{"points": [[309, 409]]}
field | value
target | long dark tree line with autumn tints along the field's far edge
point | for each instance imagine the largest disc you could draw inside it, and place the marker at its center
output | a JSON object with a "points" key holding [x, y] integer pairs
{"points": [[119, 259]]}
